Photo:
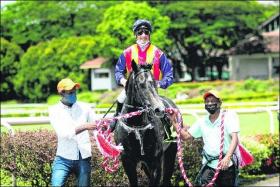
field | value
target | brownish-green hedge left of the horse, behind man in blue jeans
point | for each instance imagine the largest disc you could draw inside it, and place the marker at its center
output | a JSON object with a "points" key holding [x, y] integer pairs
{"points": [[34, 152]]}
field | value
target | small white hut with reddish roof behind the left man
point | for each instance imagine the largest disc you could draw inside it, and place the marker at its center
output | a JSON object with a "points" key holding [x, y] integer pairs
{"points": [[101, 78]]}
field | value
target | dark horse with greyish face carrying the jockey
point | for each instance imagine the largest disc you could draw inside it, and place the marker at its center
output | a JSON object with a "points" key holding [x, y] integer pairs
{"points": [[142, 136]]}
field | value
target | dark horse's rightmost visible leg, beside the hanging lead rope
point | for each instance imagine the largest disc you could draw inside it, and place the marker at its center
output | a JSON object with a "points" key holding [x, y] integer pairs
{"points": [[168, 164]]}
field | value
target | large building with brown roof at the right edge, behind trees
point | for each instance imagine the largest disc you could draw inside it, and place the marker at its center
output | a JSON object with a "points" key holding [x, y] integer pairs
{"points": [[257, 56]]}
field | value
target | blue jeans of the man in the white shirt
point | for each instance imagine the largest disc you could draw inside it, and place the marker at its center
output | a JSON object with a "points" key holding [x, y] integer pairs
{"points": [[62, 168]]}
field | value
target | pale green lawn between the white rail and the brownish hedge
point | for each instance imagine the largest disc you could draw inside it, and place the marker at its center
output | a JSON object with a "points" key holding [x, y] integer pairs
{"points": [[250, 124]]}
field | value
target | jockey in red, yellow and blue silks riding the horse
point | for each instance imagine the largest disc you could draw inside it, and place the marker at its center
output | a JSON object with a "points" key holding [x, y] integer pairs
{"points": [[143, 52]]}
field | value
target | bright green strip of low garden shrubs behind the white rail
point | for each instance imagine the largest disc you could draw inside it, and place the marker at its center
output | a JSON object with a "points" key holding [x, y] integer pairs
{"points": [[230, 91]]}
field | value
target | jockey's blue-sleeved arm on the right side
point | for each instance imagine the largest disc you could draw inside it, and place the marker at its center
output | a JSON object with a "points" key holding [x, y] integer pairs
{"points": [[167, 72]]}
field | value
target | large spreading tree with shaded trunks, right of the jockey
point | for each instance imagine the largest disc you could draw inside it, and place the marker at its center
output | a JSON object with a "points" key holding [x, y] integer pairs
{"points": [[201, 30]]}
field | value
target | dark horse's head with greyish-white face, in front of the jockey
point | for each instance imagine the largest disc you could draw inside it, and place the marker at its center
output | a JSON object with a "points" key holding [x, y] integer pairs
{"points": [[141, 89]]}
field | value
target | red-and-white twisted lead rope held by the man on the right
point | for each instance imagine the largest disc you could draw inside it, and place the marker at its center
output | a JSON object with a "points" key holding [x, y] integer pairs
{"points": [[180, 150]]}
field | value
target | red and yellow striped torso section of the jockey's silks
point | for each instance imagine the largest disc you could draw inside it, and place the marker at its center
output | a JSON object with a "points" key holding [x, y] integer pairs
{"points": [[150, 55]]}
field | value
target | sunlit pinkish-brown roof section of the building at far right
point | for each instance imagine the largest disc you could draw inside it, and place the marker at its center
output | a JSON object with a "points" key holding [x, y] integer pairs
{"points": [[272, 41]]}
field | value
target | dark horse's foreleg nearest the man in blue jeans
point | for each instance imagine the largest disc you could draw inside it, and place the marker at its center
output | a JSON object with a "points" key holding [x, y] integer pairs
{"points": [[130, 170]]}
